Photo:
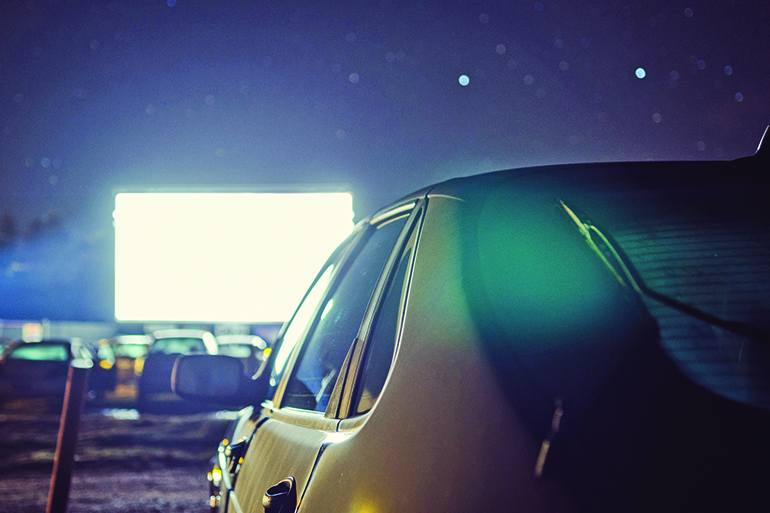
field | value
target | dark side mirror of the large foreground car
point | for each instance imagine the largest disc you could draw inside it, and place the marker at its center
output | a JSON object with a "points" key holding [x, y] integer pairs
{"points": [[217, 379]]}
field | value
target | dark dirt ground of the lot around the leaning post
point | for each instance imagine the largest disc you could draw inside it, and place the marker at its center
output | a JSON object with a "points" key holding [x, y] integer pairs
{"points": [[124, 463]]}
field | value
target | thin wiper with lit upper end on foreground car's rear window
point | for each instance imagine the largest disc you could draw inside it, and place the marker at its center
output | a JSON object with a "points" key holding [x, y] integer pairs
{"points": [[627, 274]]}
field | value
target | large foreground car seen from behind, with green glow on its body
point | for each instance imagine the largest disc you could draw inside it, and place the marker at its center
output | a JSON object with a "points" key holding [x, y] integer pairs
{"points": [[588, 337]]}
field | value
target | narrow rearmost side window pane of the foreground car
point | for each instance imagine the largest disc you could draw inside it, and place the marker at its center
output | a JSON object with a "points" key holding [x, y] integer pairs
{"points": [[382, 340]]}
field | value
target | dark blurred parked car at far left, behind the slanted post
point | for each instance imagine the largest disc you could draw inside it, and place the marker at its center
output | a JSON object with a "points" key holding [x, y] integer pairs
{"points": [[39, 370]]}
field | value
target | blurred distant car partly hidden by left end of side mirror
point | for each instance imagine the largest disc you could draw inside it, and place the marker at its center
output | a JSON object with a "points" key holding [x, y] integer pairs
{"points": [[154, 393]]}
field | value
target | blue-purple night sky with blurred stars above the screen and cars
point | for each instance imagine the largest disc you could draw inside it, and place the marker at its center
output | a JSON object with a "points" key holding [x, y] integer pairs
{"points": [[383, 96]]}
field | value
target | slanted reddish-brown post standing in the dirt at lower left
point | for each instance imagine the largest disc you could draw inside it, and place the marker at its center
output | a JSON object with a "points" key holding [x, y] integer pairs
{"points": [[75, 392]]}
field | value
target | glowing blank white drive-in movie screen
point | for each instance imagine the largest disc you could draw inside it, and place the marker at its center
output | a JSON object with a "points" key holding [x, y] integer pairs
{"points": [[222, 257]]}
